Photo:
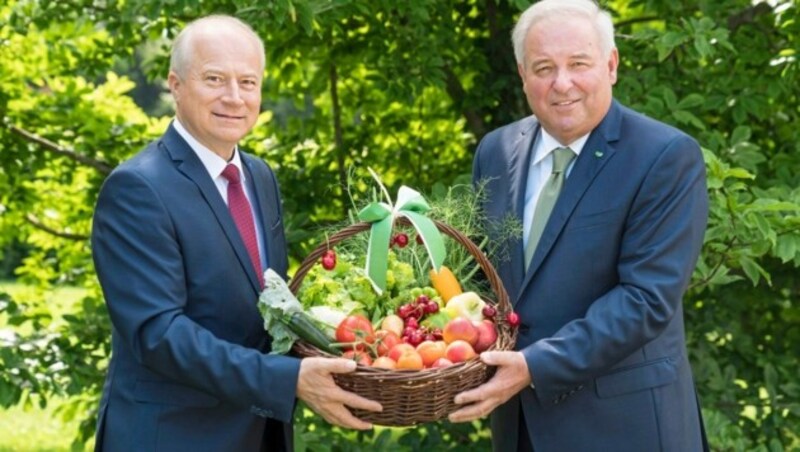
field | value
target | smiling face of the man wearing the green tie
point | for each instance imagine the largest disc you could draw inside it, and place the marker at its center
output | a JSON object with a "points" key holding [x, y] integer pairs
{"points": [[566, 78]]}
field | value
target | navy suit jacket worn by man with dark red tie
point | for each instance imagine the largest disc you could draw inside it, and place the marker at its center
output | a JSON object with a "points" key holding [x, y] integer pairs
{"points": [[189, 368]]}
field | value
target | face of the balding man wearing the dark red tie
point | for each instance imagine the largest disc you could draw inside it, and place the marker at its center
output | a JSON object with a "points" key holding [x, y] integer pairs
{"points": [[219, 97]]}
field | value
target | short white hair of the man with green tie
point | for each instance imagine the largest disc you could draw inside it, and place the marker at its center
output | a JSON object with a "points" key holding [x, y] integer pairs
{"points": [[575, 8]]}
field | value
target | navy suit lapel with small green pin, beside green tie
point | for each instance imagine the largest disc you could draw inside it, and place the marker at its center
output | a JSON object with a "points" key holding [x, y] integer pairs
{"points": [[595, 154]]}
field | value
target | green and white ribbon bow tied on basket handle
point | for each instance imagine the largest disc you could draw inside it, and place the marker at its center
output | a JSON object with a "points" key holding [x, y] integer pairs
{"points": [[409, 204]]}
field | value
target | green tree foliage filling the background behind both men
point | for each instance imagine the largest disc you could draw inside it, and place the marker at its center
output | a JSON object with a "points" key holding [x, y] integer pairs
{"points": [[406, 88]]}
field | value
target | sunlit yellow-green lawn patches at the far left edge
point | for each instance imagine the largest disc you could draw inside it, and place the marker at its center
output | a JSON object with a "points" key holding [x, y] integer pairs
{"points": [[31, 428]]}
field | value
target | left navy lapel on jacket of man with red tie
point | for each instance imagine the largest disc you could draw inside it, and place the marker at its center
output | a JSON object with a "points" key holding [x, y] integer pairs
{"points": [[189, 164]]}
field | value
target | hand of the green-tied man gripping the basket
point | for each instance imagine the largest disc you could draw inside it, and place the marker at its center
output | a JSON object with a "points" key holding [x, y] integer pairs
{"points": [[511, 377]]}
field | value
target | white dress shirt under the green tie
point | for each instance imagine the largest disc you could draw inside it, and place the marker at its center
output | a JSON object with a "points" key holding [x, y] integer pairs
{"points": [[539, 170]]}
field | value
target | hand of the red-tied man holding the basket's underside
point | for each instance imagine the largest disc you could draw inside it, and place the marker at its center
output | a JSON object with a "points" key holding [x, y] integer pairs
{"points": [[316, 387]]}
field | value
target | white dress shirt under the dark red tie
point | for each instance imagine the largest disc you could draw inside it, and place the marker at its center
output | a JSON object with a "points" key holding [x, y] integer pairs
{"points": [[215, 165]]}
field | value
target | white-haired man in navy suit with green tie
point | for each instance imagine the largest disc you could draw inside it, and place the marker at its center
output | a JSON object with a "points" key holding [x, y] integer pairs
{"points": [[600, 361]]}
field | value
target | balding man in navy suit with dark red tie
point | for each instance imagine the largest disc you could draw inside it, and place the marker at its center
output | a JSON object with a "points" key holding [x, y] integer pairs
{"points": [[190, 368]]}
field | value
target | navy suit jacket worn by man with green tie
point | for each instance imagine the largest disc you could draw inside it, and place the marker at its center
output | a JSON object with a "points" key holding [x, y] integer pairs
{"points": [[601, 305]]}
